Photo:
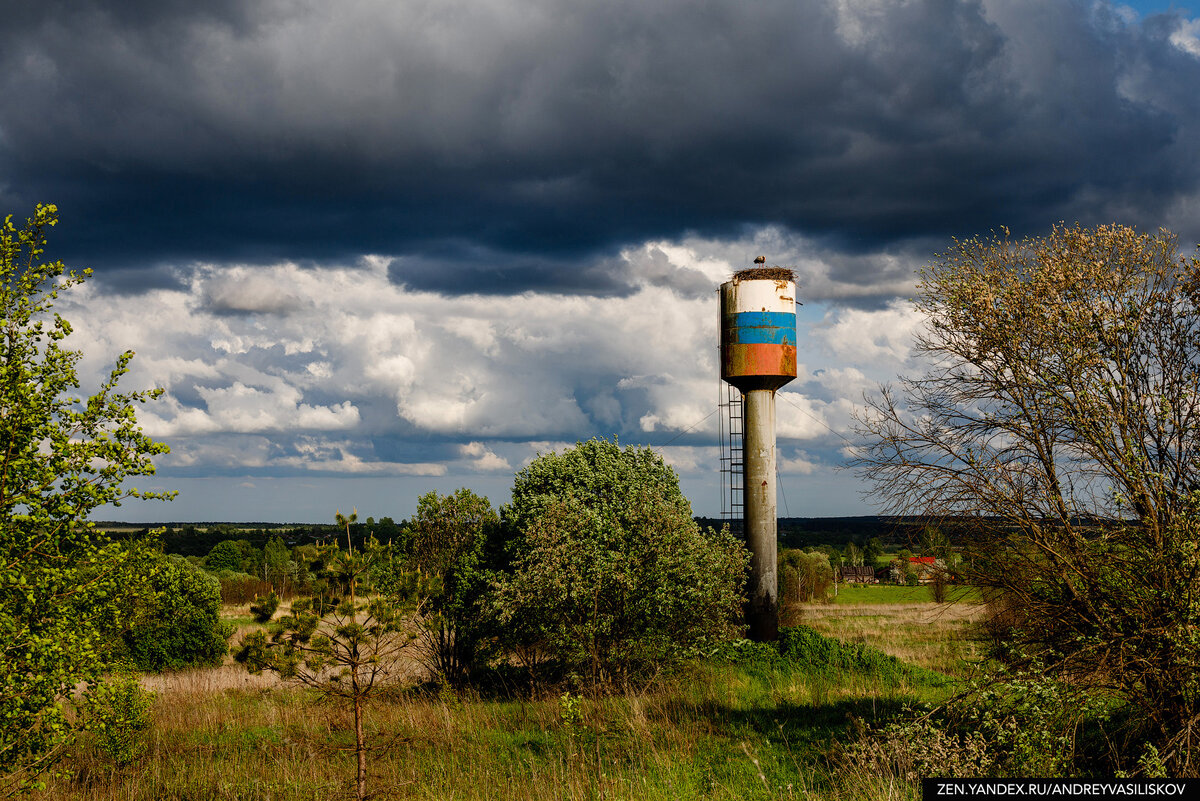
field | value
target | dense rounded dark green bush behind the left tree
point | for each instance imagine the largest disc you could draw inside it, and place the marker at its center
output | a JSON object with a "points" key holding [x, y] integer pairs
{"points": [[176, 621]]}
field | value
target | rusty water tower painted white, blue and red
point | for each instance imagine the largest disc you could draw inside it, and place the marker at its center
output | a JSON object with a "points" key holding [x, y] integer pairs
{"points": [[758, 358]]}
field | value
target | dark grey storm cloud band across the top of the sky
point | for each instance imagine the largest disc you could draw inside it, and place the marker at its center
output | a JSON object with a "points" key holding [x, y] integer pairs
{"points": [[544, 136]]}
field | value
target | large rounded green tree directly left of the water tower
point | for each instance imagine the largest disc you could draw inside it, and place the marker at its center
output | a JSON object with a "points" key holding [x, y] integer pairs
{"points": [[614, 579]]}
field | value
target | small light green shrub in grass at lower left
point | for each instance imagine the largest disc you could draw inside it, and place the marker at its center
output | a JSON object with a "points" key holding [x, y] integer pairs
{"points": [[117, 712]]}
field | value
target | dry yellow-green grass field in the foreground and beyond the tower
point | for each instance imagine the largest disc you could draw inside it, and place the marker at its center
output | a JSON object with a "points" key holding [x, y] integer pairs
{"points": [[721, 732]]}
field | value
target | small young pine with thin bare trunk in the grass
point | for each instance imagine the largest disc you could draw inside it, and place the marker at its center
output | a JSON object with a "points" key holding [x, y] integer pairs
{"points": [[350, 651]]}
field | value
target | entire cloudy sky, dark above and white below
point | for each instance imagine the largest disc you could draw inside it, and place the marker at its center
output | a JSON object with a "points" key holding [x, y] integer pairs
{"points": [[382, 248]]}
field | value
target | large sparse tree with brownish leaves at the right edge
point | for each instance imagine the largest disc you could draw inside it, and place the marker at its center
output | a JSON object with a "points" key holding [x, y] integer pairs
{"points": [[1058, 427]]}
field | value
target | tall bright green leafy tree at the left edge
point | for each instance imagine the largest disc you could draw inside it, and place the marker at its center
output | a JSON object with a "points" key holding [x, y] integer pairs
{"points": [[61, 459]]}
